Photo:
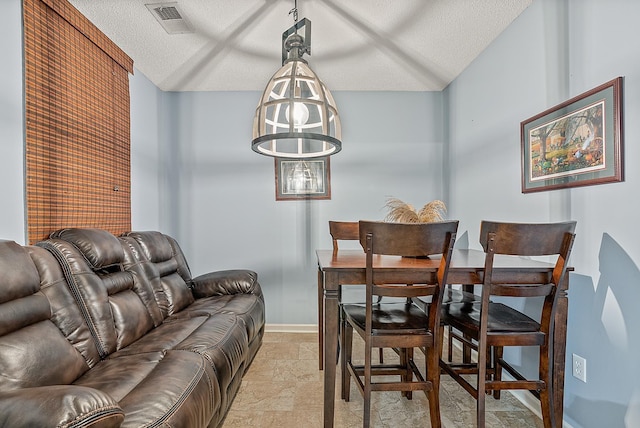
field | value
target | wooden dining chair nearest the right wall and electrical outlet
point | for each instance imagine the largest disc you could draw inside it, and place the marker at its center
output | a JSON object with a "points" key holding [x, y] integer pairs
{"points": [[489, 326]]}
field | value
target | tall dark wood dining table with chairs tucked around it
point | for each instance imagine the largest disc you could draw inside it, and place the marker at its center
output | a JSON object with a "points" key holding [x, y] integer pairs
{"points": [[347, 267]]}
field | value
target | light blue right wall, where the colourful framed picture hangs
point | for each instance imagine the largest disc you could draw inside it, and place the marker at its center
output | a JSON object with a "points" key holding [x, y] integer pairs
{"points": [[555, 50]]}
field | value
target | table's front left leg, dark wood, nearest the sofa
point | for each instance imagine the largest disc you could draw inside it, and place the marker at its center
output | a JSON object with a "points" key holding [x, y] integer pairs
{"points": [[330, 346]]}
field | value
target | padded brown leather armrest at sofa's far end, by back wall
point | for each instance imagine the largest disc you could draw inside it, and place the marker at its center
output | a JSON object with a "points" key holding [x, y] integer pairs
{"points": [[226, 282]]}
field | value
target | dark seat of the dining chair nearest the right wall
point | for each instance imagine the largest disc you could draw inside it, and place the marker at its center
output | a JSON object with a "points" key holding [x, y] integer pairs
{"points": [[502, 318]]}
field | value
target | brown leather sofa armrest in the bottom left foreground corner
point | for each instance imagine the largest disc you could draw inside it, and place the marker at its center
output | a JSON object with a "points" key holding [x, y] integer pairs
{"points": [[59, 405]]}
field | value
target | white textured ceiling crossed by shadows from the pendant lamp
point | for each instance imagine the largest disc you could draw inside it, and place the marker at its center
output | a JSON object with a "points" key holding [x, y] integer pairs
{"points": [[361, 45]]}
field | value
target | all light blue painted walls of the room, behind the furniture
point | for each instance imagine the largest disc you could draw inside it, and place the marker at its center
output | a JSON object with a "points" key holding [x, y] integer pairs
{"points": [[194, 176]]}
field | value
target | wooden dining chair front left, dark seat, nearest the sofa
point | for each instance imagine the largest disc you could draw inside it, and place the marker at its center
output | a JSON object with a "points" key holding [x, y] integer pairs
{"points": [[398, 324]]}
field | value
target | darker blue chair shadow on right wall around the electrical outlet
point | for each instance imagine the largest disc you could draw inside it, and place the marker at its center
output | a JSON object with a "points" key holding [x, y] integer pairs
{"points": [[604, 331]]}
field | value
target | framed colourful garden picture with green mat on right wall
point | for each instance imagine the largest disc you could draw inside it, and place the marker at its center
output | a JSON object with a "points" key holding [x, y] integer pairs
{"points": [[576, 143]]}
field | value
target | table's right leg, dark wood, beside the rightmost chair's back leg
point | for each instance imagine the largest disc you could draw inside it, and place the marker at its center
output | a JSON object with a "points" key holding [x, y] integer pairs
{"points": [[559, 350]]}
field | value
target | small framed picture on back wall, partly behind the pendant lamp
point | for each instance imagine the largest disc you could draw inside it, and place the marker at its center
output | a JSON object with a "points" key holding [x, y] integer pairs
{"points": [[302, 179]]}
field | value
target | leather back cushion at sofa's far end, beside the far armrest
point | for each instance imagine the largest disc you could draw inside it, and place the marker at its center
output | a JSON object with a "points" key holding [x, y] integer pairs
{"points": [[164, 261]]}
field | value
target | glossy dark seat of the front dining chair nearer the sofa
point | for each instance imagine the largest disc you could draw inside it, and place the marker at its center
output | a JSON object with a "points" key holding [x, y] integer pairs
{"points": [[400, 316]]}
